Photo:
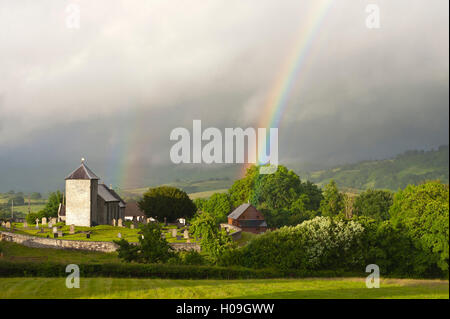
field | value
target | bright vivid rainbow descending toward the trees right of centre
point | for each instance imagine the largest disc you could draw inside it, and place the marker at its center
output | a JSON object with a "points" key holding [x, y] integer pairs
{"points": [[278, 96]]}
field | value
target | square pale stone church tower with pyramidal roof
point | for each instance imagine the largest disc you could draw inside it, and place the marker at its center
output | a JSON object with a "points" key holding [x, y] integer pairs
{"points": [[81, 197]]}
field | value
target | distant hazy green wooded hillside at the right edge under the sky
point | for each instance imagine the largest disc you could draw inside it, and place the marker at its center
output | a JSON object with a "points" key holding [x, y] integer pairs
{"points": [[411, 167]]}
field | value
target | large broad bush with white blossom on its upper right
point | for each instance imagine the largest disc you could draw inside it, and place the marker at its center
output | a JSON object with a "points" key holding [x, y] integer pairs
{"points": [[317, 244]]}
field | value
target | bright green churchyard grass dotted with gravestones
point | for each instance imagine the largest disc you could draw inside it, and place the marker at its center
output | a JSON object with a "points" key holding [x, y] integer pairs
{"points": [[98, 233]]}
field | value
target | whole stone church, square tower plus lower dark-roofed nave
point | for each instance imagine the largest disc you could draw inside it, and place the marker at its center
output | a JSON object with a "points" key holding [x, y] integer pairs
{"points": [[90, 203]]}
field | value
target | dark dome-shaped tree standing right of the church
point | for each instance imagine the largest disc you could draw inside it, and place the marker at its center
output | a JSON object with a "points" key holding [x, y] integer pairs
{"points": [[167, 201]]}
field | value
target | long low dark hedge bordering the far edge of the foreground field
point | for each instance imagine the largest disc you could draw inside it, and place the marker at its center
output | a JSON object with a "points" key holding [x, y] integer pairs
{"points": [[132, 270]]}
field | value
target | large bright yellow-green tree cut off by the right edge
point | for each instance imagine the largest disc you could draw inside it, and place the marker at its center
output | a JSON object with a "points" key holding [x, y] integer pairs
{"points": [[424, 212]]}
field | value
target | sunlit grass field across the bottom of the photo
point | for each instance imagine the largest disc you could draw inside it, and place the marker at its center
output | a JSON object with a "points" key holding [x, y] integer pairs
{"points": [[312, 288]]}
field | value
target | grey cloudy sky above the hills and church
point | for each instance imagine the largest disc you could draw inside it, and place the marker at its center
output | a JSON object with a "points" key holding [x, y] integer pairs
{"points": [[113, 89]]}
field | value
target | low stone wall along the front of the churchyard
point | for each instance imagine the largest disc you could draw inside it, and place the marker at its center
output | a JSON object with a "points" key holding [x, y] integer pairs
{"points": [[101, 246]]}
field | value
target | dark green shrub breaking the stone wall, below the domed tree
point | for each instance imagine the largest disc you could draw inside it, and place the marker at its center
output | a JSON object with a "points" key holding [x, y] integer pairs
{"points": [[152, 247]]}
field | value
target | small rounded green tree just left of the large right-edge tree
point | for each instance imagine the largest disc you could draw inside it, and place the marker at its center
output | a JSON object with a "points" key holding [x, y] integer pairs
{"points": [[374, 204]]}
